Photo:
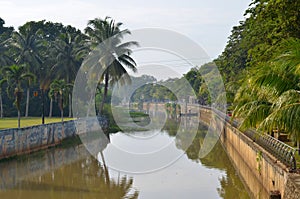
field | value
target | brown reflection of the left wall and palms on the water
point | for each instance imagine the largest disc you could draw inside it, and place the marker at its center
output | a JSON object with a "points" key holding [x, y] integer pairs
{"points": [[62, 173]]}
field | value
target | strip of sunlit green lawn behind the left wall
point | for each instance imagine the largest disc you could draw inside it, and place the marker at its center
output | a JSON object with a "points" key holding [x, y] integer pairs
{"points": [[12, 122]]}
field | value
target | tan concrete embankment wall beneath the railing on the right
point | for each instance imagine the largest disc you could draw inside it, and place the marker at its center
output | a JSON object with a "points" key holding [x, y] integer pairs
{"points": [[260, 171]]}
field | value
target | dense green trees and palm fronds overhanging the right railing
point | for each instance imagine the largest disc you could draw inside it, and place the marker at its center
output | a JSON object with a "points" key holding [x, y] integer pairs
{"points": [[260, 66]]}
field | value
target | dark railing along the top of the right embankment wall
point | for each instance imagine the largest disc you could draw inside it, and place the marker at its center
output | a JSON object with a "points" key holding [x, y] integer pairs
{"points": [[283, 152]]}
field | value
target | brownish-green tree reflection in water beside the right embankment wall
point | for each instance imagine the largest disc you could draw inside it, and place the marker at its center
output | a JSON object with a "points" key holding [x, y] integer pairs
{"points": [[231, 185]]}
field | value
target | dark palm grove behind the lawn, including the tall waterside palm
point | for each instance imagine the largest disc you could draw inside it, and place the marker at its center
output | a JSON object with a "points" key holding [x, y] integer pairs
{"points": [[40, 60]]}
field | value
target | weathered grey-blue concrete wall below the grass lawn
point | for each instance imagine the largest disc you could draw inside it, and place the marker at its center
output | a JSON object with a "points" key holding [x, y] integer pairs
{"points": [[25, 140]]}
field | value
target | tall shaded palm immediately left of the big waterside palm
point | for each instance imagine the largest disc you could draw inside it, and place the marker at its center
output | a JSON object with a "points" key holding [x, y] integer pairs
{"points": [[70, 50]]}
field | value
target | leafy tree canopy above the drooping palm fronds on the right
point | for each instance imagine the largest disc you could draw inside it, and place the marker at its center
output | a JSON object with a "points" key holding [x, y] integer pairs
{"points": [[258, 39]]}
